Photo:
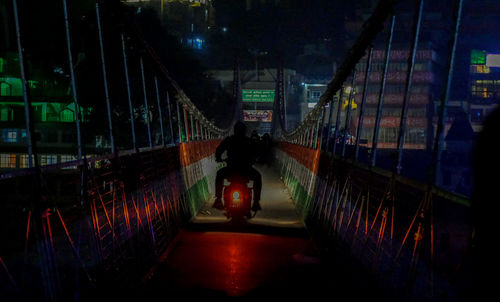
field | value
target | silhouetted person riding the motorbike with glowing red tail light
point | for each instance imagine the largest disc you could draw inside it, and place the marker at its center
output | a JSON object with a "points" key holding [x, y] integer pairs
{"points": [[241, 155]]}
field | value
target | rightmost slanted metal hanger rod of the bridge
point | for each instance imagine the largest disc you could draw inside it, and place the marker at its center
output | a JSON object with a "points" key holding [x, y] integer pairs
{"points": [[438, 142]]}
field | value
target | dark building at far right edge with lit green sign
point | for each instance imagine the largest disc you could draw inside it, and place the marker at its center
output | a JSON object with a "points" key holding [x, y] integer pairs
{"points": [[477, 75]]}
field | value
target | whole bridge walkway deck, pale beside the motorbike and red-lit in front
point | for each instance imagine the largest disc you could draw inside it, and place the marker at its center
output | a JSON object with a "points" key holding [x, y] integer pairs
{"points": [[272, 257]]}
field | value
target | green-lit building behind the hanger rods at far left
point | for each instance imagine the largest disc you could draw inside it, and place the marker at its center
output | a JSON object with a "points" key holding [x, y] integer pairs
{"points": [[54, 119]]}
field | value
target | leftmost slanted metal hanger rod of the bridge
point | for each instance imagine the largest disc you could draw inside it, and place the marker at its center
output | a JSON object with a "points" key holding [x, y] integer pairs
{"points": [[32, 154]]}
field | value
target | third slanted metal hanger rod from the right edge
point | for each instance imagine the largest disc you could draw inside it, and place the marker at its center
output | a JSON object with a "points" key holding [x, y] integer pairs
{"points": [[381, 93]]}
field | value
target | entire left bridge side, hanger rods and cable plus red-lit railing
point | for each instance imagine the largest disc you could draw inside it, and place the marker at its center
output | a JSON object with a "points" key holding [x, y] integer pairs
{"points": [[75, 229]]}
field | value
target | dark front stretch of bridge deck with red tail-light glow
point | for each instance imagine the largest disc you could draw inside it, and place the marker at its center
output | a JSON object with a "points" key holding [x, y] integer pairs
{"points": [[300, 271]]}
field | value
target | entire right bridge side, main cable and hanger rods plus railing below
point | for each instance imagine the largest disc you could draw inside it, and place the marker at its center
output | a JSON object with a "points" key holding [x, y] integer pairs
{"points": [[411, 234]]}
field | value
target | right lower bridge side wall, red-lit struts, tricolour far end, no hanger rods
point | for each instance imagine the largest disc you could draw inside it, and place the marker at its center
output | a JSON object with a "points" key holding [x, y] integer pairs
{"points": [[413, 239]]}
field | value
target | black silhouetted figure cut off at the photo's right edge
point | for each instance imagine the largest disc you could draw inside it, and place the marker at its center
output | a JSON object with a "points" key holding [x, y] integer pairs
{"points": [[485, 265]]}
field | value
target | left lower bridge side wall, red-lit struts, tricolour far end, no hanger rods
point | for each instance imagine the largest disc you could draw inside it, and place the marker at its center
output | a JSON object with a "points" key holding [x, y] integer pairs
{"points": [[132, 207]]}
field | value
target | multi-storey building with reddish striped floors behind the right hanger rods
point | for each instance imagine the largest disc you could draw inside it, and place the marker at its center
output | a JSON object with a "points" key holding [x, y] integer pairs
{"points": [[425, 91]]}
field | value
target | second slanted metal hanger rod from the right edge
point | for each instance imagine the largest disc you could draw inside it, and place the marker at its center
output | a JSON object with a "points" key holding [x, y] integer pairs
{"points": [[406, 100]]}
